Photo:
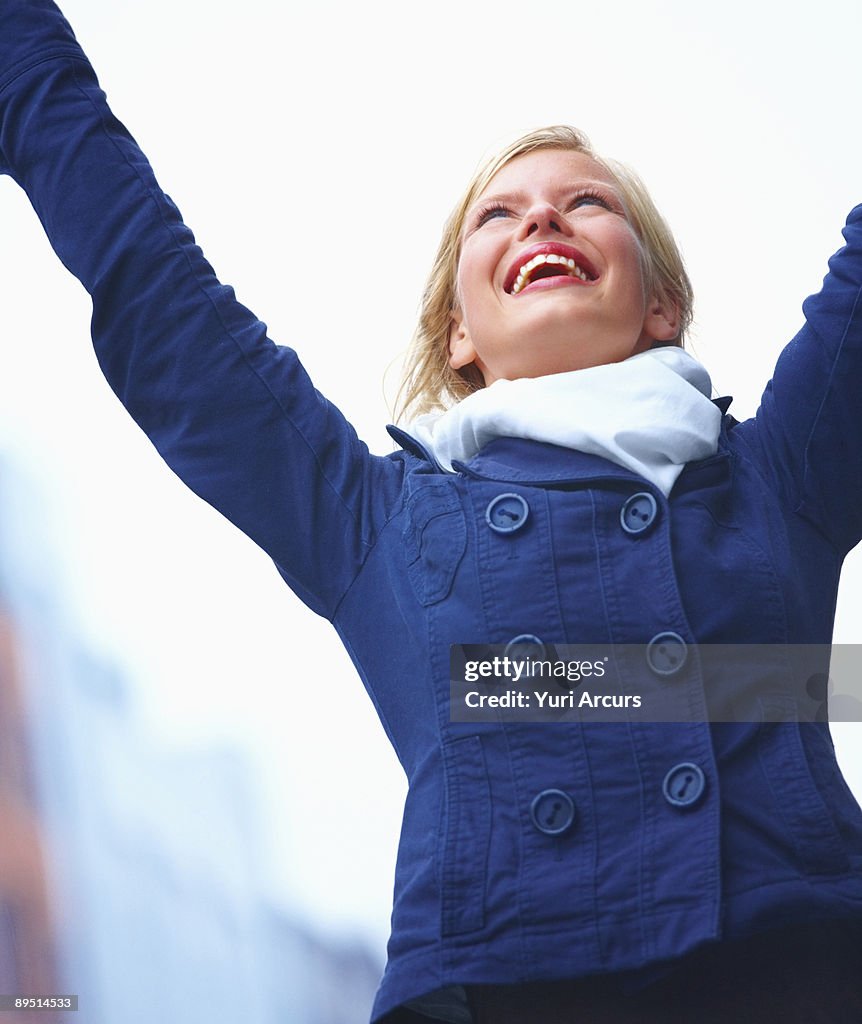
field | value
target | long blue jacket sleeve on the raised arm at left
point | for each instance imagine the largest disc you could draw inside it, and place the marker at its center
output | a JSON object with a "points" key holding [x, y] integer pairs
{"points": [[234, 415]]}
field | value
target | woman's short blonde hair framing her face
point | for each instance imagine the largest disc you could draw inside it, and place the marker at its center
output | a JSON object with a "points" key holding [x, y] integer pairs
{"points": [[429, 382]]}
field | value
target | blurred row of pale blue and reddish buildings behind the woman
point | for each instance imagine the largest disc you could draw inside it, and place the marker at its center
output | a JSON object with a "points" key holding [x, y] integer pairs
{"points": [[131, 875]]}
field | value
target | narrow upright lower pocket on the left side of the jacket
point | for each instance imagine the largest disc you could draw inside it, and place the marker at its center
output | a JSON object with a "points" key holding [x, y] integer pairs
{"points": [[465, 837]]}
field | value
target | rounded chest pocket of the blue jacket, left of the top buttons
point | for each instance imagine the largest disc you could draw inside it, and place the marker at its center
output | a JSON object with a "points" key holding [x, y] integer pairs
{"points": [[436, 539]]}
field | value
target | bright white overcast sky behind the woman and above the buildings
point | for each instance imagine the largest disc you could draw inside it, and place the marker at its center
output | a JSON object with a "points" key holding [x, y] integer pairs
{"points": [[316, 151]]}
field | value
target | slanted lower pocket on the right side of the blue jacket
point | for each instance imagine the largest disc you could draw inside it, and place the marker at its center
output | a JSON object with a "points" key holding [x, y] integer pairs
{"points": [[807, 820]]}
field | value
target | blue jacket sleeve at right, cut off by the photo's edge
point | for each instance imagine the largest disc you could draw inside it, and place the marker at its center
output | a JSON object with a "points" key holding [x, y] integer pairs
{"points": [[808, 432]]}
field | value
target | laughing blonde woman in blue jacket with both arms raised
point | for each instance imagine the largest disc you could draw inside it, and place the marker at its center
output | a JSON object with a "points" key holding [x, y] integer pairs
{"points": [[569, 480]]}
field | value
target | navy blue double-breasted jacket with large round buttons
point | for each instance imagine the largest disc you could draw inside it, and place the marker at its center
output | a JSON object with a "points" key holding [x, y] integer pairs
{"points": [[402, 560]]}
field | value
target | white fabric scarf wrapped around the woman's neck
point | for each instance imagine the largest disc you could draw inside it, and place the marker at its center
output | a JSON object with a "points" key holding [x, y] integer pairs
{"points": [[651, 413]]}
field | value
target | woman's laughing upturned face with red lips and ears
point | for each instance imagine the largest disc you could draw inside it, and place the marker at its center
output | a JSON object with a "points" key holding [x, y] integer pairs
{"points": [[550, 277]]}
